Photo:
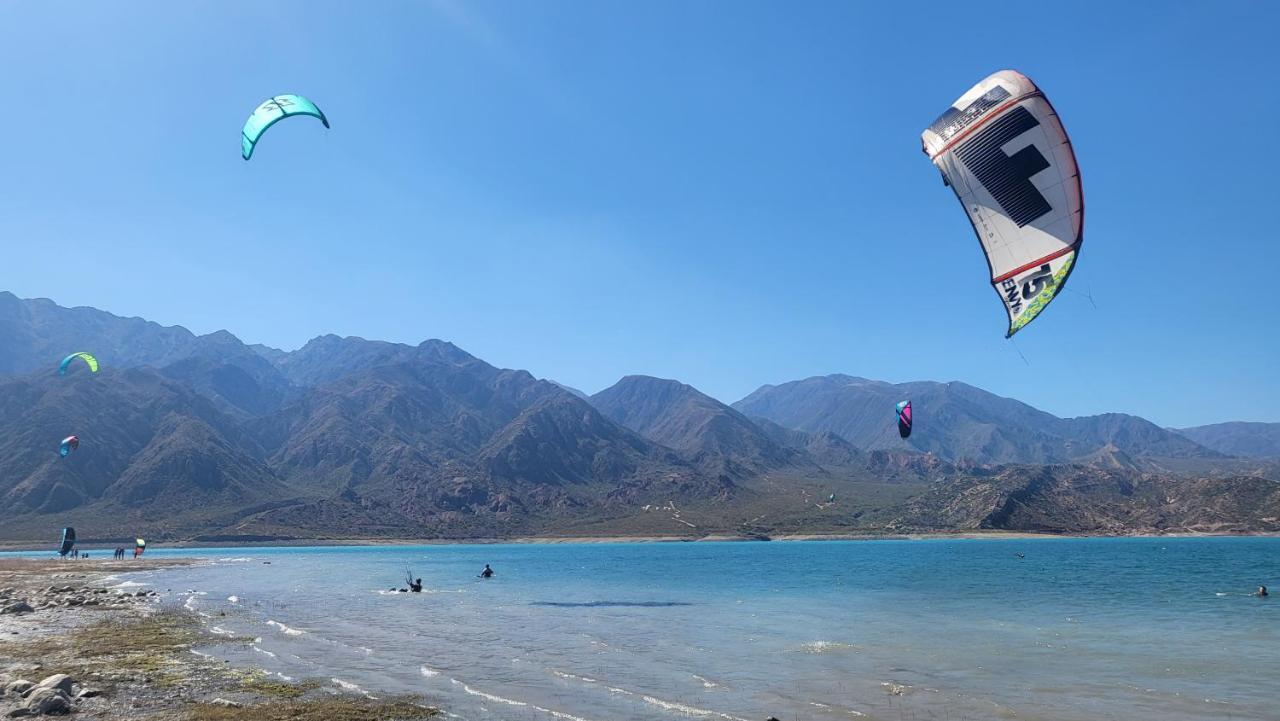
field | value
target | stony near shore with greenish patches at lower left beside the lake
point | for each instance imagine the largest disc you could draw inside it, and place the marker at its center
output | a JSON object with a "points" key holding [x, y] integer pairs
{"points": [[74, 642]]}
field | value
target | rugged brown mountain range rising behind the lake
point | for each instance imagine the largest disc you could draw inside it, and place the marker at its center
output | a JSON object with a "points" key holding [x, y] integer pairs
{"points": [[205, 437]]}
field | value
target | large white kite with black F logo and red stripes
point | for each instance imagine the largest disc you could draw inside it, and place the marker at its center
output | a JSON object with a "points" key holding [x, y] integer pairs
{"points": [[1004, 152]]}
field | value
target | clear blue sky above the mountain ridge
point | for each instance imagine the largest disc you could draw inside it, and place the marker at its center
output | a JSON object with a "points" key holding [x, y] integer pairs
{"points": [[726, 193]]}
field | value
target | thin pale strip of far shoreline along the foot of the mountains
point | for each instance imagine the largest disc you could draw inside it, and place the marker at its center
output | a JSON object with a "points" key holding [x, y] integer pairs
{"points": [[102, 547]]}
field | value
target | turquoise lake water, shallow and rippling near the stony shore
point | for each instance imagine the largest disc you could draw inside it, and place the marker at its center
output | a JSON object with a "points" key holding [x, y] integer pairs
{"points": [[1080, 629]]}
